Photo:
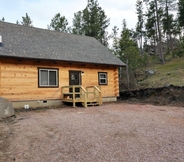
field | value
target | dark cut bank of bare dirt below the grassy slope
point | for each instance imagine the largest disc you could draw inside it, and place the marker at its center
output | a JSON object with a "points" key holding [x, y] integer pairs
{"points": [[169, 95]]}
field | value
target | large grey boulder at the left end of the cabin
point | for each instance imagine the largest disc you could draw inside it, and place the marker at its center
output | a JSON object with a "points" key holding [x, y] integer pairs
{"points": [[6, 108]]}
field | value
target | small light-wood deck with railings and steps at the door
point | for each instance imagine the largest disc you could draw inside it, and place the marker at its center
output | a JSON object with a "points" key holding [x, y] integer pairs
{"points": [[88, 96]]}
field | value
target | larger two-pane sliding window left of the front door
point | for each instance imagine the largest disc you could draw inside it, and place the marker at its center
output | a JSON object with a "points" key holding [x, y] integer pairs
{"points": [[47, 77]]}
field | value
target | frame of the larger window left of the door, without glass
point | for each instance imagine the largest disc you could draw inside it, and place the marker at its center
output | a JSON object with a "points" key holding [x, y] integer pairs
{"points": [[49, 70]]}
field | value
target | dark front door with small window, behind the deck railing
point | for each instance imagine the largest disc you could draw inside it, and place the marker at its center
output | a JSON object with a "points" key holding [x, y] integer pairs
{"points": [[75, 79]]}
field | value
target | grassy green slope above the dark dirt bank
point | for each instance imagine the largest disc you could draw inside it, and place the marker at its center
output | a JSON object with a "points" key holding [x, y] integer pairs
{"points": [[171, 73]]}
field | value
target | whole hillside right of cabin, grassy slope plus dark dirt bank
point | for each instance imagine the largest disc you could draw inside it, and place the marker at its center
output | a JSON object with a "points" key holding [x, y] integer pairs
{"points": [[164, 87]]}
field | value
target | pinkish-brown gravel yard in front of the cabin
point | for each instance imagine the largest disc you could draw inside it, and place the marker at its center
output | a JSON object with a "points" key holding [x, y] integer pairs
{"points": [[114, 132]]}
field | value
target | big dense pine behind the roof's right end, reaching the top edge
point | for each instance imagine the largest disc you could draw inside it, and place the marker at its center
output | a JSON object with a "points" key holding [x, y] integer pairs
{"points": [[92, 21]]}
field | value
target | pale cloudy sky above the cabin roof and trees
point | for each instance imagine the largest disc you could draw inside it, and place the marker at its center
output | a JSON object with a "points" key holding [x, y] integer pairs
{"points": [[42, 11]]}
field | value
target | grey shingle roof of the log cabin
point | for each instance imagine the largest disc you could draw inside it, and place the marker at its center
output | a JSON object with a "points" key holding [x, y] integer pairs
{"points": [[30, 42]]}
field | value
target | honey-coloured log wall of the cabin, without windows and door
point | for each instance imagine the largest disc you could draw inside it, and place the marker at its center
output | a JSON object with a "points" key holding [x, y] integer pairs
{"points": [[19, 79]]}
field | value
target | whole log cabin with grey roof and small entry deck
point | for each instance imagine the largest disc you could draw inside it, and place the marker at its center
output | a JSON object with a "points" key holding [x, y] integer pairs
{"points": [[44, 68]]}
